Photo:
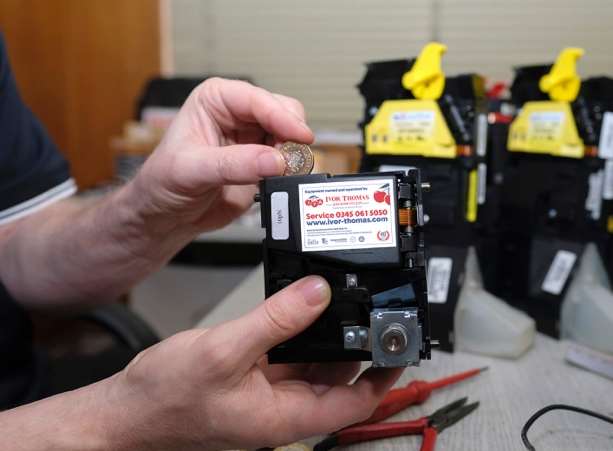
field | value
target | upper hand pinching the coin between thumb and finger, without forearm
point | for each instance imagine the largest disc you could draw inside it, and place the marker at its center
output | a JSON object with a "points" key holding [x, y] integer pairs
{"points": [[222, 139]]}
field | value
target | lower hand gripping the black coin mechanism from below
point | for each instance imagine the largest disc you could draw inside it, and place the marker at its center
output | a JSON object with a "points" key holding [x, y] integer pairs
{"points": [[210, 389]]}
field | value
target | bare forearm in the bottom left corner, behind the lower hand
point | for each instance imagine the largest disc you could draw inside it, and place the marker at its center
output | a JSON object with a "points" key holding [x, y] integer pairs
{"points": [[98, 417]]}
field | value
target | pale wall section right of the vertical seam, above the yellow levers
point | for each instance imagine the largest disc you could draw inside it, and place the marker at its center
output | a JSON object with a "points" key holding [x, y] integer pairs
{"points": [[492, 36]]}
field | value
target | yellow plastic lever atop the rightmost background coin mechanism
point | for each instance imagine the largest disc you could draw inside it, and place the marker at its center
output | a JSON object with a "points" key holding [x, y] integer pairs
{"points": [[562, 83]]}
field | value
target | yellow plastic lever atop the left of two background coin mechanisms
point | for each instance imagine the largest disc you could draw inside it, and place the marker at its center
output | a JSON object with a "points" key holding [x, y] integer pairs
{"points": [[426, 79]]}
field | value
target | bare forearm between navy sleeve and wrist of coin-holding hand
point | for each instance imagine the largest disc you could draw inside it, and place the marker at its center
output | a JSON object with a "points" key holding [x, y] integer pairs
{"points": [[85, 251]]}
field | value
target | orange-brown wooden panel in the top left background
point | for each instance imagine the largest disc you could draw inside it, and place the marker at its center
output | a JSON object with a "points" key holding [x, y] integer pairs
{"points": [[80, 66]]}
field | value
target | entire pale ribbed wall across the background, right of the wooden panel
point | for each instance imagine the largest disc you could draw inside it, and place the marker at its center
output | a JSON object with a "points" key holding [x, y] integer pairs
{"points": [[315, 50]]}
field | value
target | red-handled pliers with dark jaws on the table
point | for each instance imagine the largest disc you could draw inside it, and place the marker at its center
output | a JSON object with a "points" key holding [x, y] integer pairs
{"points": [[429, 427]]}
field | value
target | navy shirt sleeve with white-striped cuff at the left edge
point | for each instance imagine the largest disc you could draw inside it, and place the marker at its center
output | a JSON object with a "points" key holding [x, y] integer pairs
{"points": [[33, 173]]}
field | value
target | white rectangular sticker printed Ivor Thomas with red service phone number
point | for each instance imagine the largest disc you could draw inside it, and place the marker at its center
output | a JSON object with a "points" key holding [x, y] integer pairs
{"points": [[348, 215]]}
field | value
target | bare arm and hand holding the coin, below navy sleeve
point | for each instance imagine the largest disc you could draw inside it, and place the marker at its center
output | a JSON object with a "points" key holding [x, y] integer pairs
{"points": [[199, 178]]}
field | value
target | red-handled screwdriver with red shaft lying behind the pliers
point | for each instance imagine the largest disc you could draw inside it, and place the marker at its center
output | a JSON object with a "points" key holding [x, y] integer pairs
{"points": [[416, 392]]}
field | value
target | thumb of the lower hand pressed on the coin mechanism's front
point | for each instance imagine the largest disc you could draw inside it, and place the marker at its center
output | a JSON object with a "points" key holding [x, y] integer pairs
{"points": [[282, 316]]}
